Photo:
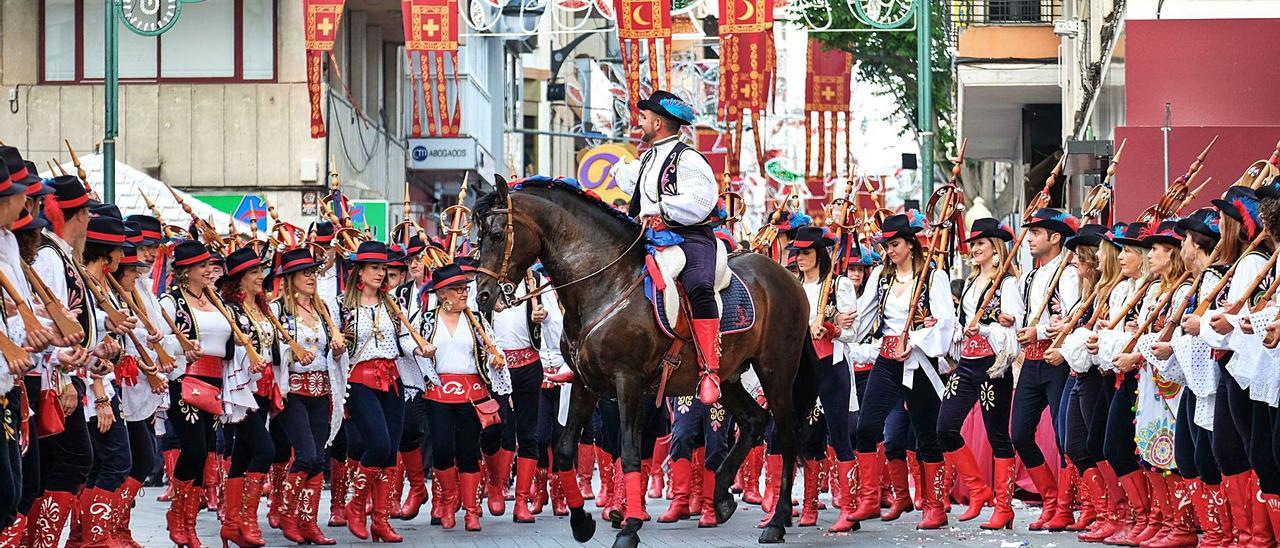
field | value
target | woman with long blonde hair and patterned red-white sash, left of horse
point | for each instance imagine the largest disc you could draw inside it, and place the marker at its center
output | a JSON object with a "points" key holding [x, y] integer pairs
{"points": [[312, 413]]}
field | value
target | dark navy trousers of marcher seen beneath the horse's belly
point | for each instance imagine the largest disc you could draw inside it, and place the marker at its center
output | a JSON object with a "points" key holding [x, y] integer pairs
{"points": [[696, 424]]}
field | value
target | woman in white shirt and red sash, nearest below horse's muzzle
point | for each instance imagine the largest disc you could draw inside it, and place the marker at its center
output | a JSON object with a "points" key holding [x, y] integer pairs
{"points": [[463, 378]]}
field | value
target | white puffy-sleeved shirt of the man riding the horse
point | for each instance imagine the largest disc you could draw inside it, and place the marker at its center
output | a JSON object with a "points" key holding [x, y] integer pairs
{"points": [[697, 190]]}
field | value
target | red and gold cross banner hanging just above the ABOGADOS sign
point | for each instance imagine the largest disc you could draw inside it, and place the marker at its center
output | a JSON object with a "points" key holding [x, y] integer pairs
{"points": [[432, 33]]}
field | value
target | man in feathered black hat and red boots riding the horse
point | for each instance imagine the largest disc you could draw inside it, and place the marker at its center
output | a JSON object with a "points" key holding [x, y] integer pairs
{"points": [[674, 188]]}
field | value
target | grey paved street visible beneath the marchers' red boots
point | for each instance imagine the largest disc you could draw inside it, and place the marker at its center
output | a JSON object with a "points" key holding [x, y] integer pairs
{"points": [[149, 529]]}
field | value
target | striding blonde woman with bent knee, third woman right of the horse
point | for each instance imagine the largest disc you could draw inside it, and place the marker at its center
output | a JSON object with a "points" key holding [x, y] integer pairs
{"points": [[988, 350]]}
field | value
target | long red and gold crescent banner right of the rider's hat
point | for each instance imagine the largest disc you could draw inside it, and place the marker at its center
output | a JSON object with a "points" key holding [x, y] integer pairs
{"points": [[748, 67]]}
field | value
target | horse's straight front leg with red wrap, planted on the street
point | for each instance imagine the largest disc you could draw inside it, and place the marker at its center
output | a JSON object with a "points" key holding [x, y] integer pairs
{"points": [[632, 403]]}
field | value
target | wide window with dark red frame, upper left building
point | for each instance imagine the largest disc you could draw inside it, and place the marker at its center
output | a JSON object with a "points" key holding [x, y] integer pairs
{"points": [[218, 40]]}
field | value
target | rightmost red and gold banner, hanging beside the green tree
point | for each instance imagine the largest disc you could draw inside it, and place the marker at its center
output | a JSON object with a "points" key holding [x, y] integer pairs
{"points": [[826, 101]]}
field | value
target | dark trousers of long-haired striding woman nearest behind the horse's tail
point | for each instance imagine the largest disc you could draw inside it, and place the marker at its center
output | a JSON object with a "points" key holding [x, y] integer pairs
{"points": [[885, 392]]}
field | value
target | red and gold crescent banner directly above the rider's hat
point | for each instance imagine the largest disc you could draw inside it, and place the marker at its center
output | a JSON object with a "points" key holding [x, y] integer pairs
{"points": [[650, 22]]}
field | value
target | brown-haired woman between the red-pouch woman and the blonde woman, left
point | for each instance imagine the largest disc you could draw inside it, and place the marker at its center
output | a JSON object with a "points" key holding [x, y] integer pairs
{"points": [[250, 395]]}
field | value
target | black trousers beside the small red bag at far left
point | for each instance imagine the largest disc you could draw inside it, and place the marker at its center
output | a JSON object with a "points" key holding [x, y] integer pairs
{"points": [[66, 459]]}
